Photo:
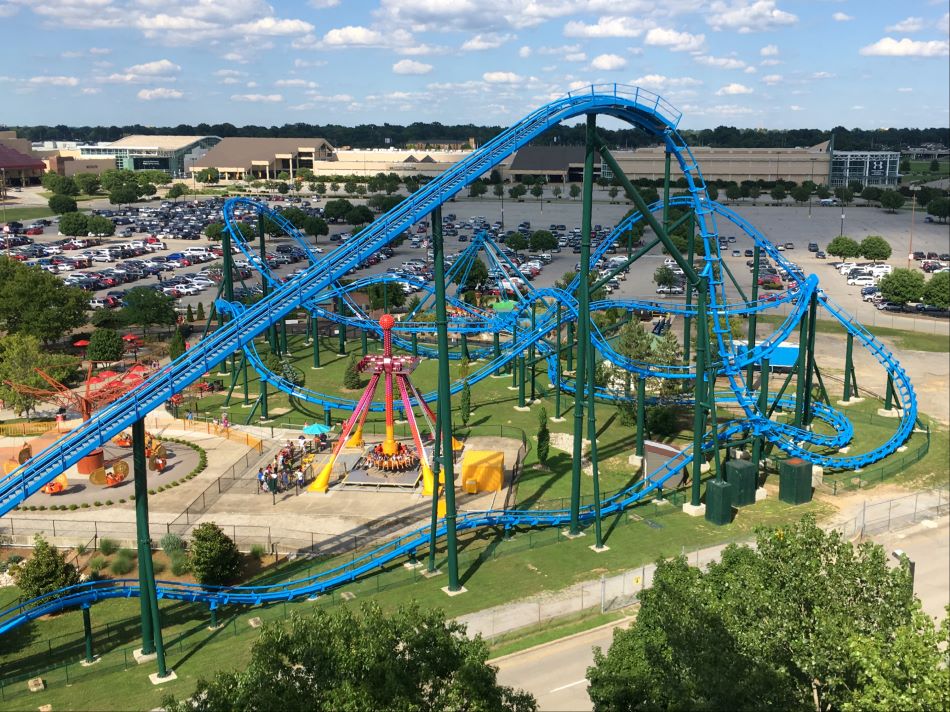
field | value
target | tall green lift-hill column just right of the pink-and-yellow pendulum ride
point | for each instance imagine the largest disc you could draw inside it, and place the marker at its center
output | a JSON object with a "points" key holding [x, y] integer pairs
{"points": [[445, 397]]}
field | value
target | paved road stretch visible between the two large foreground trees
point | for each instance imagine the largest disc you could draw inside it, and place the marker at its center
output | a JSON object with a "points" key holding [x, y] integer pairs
{"points": [[556, 673]]}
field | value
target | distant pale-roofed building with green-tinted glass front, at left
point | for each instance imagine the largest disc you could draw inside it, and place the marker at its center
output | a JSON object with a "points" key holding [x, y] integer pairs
{"points": [[172, 154]]}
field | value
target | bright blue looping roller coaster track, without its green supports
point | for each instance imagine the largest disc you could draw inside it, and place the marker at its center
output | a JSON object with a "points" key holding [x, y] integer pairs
{"points": [[318, 286]]}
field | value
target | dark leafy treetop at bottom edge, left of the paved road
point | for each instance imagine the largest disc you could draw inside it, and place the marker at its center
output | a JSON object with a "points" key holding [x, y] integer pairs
{"points": [[411, 659]]}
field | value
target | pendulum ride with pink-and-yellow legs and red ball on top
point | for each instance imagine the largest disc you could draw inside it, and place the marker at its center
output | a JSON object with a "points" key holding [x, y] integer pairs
{"points": [[390, 455]]}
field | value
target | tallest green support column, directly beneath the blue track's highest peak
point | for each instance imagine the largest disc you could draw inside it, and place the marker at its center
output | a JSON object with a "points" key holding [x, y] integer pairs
{"points": [[583, 324]]}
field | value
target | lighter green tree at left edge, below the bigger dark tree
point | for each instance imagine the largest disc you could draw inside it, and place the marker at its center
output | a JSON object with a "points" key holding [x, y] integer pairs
{"points": [[20, 356]]}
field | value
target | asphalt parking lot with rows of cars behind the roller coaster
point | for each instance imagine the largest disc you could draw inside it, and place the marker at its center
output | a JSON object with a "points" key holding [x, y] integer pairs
{"points": [[165, 247]]}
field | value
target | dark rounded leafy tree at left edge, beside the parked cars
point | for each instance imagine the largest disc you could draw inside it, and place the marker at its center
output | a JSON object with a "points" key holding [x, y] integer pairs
{"points": [[35, 302]]}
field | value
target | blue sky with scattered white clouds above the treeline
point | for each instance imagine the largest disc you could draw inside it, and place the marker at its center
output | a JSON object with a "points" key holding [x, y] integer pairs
{"points": [[752, 63]]}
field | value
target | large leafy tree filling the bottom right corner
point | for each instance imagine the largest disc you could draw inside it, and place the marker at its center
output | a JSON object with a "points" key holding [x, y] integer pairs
{"points": [[805, 621]]}
